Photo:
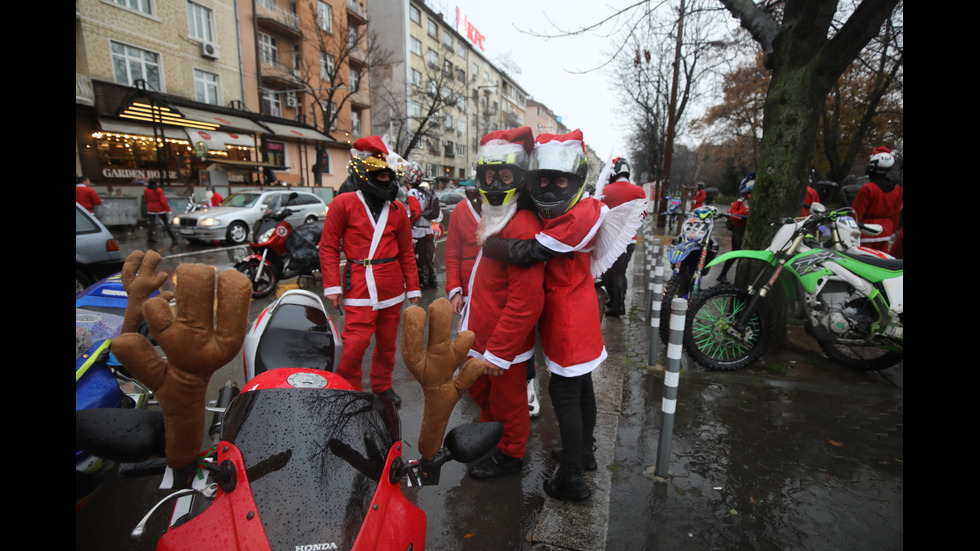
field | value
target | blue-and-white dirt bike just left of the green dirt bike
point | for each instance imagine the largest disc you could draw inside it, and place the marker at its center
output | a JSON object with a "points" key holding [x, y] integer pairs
{"points": [[689, 253]]}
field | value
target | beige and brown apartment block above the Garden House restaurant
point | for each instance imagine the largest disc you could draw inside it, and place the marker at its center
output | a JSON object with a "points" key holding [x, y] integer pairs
{"points": [[213, 91]]}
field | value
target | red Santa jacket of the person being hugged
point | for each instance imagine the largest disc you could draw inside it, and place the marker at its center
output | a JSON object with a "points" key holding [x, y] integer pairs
{"points": [[505, 300]]}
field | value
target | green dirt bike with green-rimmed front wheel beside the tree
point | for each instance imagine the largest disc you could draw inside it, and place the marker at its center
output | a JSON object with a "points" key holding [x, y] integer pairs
{"points": [[853, 303]]}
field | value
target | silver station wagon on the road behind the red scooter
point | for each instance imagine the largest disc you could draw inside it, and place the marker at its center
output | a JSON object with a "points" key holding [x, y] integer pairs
{"points": [[234, 219]]}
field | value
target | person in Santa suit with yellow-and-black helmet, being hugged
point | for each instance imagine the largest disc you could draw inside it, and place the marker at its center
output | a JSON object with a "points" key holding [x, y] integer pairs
{"points": [[503, 307]]}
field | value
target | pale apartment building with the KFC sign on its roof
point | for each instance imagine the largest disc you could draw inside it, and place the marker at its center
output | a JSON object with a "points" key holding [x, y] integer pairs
{"points": [[439, 95]]}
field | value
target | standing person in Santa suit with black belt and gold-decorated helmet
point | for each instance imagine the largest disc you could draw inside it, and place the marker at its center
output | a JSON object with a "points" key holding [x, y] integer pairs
{"points": [[380, 271]]}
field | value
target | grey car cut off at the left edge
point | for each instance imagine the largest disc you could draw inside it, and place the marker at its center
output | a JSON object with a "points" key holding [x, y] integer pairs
{"points": [[96, 251]]}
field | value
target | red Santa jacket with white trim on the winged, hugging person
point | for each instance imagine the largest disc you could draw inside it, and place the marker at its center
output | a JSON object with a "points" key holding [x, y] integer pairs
{"points": [[571, 334]]}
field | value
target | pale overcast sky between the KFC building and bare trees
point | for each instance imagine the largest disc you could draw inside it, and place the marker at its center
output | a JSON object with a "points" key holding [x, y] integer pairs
{"points": [[582, 101]]}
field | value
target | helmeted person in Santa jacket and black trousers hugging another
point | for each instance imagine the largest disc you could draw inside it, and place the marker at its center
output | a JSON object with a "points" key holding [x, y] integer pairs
{"points": [[571, 334]]}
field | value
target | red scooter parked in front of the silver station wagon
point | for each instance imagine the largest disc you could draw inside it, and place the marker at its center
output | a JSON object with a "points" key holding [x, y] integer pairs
{"points": [[280, 252]]}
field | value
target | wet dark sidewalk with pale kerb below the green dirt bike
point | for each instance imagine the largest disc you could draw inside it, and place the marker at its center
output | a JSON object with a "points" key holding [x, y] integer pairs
{"points": [[792, 452]]}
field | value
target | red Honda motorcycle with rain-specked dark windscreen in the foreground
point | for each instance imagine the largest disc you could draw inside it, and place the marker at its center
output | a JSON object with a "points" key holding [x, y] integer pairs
{"points": [[303, 462]]}
